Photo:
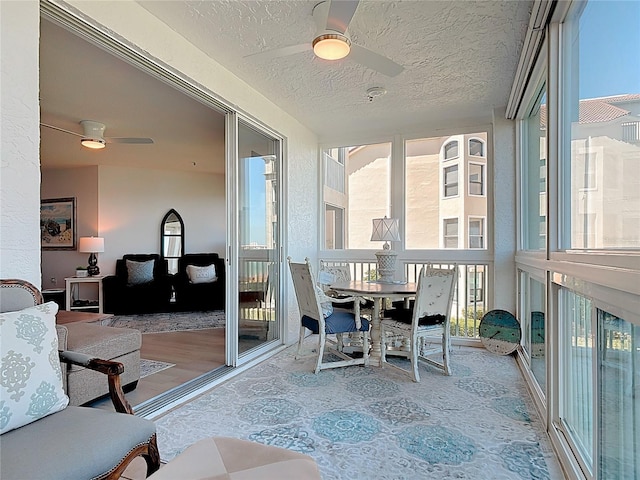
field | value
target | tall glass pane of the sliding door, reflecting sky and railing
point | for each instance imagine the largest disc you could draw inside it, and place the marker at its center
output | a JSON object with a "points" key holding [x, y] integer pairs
{"points": [[258, 238]]}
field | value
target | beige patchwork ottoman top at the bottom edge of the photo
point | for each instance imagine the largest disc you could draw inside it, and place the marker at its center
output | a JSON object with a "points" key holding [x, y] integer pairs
{"points": [[221, 458]]}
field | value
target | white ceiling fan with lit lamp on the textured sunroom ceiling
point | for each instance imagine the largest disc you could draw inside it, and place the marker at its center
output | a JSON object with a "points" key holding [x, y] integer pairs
{"points": [[332, 42]]}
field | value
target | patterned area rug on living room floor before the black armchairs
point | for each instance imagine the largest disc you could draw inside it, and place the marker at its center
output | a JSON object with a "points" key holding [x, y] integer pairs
{"points": [[168, 322]]}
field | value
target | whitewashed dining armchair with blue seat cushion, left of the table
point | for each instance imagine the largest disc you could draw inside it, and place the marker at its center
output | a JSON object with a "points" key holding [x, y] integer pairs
{"points": [[318, 315]]}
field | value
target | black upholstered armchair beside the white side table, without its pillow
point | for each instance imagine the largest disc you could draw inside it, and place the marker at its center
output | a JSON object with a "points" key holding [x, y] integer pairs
{"points": [[120, 297]]}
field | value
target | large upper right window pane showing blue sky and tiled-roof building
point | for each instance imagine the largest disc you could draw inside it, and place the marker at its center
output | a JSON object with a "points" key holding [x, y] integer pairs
{"points": [[602, 96]]}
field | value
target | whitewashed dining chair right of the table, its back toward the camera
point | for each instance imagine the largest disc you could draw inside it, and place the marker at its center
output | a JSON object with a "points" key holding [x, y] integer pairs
{"points": [[430, 316]]}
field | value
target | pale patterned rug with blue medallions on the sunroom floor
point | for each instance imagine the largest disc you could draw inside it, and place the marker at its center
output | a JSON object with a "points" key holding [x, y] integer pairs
{"points": [[357, 422]]}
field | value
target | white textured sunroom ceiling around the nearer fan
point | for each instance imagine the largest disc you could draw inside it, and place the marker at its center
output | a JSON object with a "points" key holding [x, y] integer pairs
{"points": [[459, 57]]}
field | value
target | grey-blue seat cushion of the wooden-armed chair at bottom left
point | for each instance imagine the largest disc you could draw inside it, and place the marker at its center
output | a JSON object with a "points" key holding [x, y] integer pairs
{"points": [[78, 443]]}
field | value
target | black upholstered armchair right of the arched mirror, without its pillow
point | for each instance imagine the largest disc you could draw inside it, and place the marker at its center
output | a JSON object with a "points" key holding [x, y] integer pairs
{"points": [[199, 296]]}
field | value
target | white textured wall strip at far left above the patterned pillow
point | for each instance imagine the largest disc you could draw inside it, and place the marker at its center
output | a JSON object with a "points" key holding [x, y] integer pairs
{"points": [[20, 142]]}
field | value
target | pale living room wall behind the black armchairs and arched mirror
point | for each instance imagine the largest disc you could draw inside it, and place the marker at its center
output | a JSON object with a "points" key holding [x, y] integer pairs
{"points": [[133, 203]]}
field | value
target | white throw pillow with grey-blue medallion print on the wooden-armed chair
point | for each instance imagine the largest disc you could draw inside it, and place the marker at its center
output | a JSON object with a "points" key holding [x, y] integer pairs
{"points": [[30, 373]]}
